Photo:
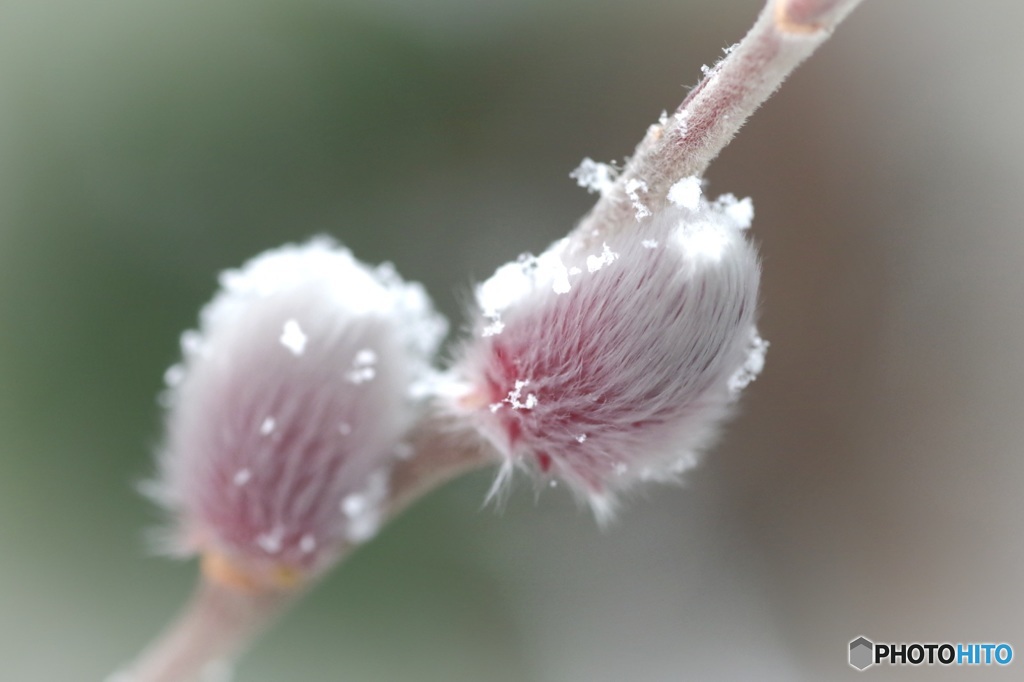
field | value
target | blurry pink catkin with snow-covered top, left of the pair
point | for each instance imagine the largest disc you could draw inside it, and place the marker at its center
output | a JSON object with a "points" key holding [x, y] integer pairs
{"points": [[285, 415]]}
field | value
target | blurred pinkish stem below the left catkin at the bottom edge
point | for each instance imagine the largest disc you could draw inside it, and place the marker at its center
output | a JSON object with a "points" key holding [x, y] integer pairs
{"points": [[216, 626]]}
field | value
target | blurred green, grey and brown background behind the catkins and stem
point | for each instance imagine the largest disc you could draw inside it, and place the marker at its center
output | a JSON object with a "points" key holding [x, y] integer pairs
{"points": [[871, 487]]}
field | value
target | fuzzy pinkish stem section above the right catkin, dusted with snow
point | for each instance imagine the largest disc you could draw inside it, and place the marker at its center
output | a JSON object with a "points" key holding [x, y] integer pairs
{"points": [[787, 32]]}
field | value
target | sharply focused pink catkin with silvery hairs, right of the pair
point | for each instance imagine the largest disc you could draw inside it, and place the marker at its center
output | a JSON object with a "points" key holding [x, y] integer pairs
{"points": [[608, 367]]}
